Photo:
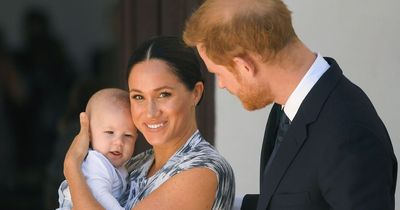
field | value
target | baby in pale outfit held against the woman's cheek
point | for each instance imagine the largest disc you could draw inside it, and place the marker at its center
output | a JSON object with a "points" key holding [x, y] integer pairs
{"points": [[113, 137]]}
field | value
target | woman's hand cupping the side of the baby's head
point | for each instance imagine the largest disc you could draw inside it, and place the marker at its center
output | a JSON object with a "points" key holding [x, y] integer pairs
{"points": [[78, 149]]}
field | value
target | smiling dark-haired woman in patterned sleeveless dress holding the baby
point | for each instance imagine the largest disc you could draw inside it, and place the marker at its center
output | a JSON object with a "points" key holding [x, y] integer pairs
{"points": [[181, 171]]}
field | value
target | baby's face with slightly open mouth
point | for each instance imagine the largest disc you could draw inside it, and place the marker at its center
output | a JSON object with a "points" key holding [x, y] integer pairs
{"points": [[113, 134]]}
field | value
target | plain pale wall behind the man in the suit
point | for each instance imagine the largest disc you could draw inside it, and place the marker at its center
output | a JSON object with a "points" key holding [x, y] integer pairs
{"points": [[363, 37]]}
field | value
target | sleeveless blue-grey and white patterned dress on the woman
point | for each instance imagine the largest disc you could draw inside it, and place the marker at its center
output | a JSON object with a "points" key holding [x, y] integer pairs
{"points": [[194, 154]]}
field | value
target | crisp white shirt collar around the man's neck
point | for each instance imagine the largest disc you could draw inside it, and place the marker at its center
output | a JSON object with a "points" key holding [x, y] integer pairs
{"points": [[317, 69]]}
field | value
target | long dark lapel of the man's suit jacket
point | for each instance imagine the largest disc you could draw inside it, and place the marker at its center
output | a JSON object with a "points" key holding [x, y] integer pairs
{"points": [[297, 133]]}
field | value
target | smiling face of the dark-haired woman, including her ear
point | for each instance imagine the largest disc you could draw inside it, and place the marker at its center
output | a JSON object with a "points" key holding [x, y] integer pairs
{"points": [[162, 108]]}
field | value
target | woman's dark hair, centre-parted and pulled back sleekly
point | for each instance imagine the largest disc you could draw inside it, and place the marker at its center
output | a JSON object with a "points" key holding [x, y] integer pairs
{"points": [[183, 61]]}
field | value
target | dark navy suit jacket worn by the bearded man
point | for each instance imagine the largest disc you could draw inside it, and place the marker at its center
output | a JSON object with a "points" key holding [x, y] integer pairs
{"points": [[336, 154]]}
